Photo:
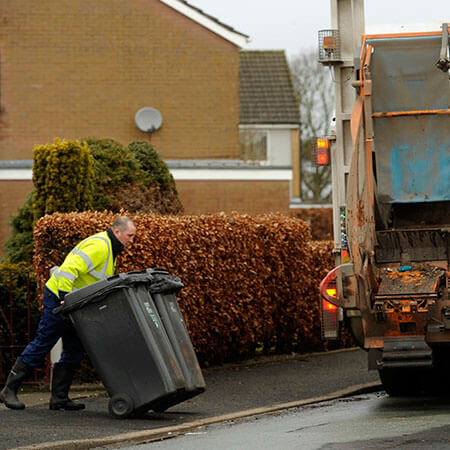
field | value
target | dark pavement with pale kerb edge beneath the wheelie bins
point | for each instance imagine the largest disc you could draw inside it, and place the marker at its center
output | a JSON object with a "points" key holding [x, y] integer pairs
{"points": [[230, 390]]}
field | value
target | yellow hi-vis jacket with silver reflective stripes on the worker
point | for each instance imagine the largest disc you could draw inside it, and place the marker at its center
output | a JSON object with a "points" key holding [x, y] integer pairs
{"points": [[90, 261]]}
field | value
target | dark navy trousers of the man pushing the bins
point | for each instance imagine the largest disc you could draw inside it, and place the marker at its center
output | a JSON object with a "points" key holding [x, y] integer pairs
{"points": [[51, 328]]}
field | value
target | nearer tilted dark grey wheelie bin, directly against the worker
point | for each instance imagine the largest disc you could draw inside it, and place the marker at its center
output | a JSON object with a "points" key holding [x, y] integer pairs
{"points": [[123, 334]]}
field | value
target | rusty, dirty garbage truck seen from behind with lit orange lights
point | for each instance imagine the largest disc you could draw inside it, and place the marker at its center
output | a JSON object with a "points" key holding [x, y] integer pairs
{"points": [[389, 151]]}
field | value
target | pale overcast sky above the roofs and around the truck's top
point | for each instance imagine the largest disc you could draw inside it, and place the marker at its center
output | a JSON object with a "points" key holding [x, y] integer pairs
{"points": [[292, 25]]}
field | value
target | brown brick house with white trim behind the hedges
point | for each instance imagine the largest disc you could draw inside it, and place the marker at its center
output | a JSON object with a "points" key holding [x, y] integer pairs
{"points": [[83, 69]]}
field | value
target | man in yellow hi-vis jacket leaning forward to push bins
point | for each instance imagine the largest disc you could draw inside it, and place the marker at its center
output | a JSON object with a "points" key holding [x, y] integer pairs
{"points": [[91, 260]]}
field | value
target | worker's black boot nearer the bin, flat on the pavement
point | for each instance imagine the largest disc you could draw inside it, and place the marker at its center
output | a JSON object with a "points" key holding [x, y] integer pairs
{"points": [[61, 381]]}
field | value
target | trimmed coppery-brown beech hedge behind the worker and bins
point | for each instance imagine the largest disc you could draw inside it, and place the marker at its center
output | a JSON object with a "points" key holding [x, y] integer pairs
{"points": [[251, 282]]}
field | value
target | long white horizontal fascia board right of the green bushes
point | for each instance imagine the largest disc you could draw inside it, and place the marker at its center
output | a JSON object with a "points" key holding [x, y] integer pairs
{"points": [[232, 174]]}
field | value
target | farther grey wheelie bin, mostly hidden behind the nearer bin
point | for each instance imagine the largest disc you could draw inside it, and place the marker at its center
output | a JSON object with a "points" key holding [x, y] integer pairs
{"points": [[163, 289]]}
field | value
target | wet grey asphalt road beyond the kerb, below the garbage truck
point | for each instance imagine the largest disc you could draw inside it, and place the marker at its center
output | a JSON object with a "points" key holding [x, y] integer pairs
{"points": [[364, 422]]}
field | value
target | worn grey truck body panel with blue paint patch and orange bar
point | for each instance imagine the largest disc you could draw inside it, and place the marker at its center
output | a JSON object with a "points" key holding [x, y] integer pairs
{"points": [[412, 151]]}
